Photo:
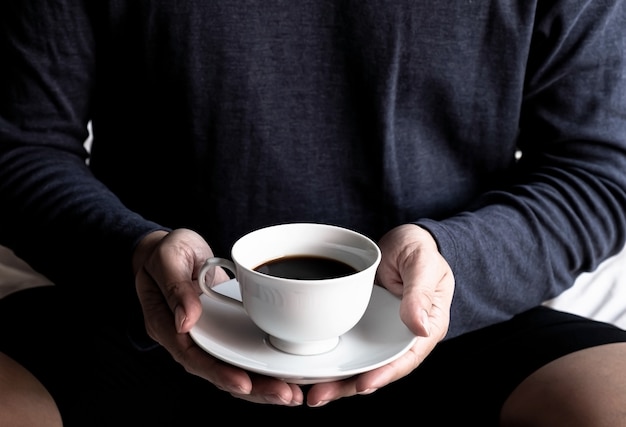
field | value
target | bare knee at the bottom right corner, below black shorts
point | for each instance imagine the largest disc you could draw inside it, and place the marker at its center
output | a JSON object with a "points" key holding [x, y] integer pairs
{"points": [[583, 389]]}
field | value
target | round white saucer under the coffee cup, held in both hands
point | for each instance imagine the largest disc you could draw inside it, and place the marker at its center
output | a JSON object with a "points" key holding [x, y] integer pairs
{"points": [[227, 333]]}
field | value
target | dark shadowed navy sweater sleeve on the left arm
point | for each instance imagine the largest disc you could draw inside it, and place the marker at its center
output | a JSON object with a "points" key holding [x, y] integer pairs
{"points": [[50, 200]]}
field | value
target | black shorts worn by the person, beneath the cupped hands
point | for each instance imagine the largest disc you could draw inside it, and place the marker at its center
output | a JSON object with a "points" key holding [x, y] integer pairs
{"points": [[99, 379]]}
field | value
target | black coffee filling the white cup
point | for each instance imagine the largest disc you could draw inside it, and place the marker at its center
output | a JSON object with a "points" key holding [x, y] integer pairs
{"points": [[305, 267]]}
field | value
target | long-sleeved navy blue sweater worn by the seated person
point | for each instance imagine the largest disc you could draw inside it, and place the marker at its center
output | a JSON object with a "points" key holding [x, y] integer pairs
{"points": [[227, 116]]}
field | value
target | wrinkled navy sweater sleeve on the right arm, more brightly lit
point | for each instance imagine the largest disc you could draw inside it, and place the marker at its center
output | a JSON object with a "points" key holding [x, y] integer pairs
{"points": [[563, 212]]}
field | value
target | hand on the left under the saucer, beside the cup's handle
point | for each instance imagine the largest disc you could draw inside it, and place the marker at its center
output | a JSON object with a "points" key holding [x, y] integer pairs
{"points": [[166, 268]]}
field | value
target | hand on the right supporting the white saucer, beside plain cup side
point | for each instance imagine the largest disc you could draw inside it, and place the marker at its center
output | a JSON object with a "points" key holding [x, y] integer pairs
{"points": [[412, 268]]}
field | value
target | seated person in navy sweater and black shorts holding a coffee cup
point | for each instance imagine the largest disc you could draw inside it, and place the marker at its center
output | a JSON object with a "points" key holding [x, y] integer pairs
{"points": [[403, 120]]}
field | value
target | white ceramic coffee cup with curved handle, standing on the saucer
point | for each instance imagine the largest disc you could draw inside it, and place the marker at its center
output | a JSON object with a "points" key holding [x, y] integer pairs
{"points": [[301, 316]]}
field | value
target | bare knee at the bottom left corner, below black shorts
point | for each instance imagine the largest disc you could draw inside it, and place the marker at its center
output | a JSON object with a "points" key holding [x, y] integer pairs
{"points": [[24, 401]]}
